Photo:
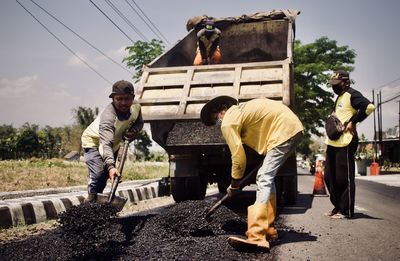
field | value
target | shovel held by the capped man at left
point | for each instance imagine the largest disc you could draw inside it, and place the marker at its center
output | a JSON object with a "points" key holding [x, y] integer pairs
{"points": [[117, 202]]}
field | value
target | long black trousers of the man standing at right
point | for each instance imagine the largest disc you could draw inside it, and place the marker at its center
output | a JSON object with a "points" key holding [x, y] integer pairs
{"points": [[340, 176]]}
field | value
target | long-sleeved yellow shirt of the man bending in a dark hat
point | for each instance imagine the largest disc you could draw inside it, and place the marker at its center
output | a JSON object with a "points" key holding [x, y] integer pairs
{"points": [[262, 124]]}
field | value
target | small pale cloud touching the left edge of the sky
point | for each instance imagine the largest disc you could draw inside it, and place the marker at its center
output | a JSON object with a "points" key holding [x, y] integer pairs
{"points": [[19, 86]]}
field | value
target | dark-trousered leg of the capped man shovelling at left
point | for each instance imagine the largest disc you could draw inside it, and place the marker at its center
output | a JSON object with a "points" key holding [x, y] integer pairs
{"points": [[98, 173]]}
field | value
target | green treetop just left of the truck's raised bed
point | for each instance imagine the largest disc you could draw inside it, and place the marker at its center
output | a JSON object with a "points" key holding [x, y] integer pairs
{"points": [[142, 53]]}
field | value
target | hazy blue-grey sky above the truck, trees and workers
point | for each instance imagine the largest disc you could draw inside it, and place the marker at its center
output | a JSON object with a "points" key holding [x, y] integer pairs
{"points": [[41, 81]]}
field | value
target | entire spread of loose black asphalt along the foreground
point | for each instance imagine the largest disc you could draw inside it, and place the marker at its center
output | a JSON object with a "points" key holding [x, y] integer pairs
{"points": [[179, 232]]}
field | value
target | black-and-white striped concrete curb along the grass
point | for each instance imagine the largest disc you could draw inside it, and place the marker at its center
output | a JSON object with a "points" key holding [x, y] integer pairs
{"points": [[36, 209]]}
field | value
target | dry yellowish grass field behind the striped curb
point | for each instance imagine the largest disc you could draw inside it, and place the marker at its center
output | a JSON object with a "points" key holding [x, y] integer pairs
{"points": [[40, 174]]}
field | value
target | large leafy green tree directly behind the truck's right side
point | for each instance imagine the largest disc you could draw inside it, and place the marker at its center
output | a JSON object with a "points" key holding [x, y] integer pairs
{"points": [[313, 64]]}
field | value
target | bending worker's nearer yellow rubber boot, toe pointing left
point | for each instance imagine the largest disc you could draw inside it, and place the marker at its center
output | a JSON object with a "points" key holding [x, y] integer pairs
{"points": [[257, 227]]}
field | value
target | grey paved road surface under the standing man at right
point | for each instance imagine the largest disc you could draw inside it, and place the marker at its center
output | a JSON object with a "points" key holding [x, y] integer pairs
{"points": [[373, 234]]}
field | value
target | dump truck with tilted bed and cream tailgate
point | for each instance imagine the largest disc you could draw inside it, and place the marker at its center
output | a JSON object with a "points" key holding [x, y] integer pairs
{"points": [[257, 61]]}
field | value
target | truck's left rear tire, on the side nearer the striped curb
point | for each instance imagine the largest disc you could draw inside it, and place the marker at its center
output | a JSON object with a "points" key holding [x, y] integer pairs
{"points": [[188, 188]]}
